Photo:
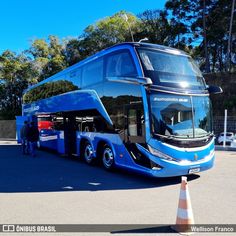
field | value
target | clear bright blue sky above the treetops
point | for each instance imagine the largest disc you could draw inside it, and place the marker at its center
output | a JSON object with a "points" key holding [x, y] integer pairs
{"points": [[22, 21]]}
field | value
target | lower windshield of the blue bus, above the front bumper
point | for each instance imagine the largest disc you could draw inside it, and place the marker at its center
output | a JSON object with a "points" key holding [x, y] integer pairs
{"points": [[180, 116]]}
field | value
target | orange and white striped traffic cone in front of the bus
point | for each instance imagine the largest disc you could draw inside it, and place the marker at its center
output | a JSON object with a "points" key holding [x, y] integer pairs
{"points": [[184, 218]]}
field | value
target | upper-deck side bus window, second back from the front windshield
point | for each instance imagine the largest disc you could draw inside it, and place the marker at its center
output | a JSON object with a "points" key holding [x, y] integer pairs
{"points": [[92, 73]]}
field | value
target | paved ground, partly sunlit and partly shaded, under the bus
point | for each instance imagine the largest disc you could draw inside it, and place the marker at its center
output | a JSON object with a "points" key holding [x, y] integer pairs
{"points": [[50, 189]]}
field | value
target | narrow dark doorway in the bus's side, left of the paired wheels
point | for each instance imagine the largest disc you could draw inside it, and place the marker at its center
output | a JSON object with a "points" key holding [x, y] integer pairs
{"points": [[69, 120]]}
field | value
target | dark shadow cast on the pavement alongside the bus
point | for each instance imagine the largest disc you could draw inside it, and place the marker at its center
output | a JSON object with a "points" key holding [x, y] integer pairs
{"points": [[49, 172]]}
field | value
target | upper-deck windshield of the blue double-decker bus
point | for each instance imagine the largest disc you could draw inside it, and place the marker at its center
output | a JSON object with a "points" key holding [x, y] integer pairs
{"points": [[171, 70]]}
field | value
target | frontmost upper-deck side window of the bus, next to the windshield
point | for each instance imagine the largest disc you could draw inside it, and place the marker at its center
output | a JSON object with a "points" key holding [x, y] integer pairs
{"points": [[120, 65]]}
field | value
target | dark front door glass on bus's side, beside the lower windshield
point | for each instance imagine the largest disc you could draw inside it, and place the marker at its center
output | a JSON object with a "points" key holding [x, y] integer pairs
{"points": [[134, 123]]}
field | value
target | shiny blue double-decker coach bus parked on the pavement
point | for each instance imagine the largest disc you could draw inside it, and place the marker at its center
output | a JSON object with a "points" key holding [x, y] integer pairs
{"points": [[138, 106]]}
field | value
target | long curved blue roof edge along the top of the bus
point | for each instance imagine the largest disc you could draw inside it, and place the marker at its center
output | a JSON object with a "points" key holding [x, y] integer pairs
{"points": [[108, 50]]}
